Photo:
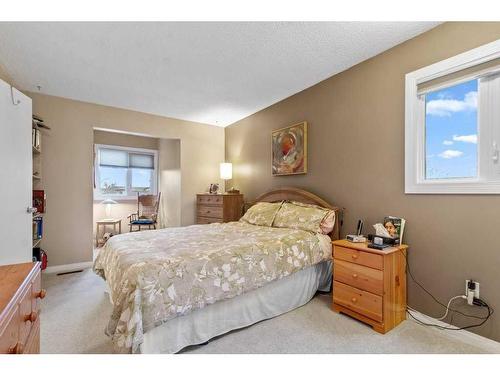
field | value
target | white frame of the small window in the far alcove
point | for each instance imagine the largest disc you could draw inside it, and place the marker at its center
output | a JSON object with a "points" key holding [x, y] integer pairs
{"points": [[130, 195]]}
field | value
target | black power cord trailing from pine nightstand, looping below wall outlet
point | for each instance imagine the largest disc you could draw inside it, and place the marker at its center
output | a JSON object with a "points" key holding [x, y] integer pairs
{"points": [[476, 302]]}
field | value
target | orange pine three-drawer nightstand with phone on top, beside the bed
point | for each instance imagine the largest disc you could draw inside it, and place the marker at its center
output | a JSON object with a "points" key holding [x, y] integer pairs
{"points": [[369, 284]]}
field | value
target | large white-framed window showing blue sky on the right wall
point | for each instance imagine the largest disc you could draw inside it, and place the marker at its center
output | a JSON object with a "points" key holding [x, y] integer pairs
{"points": [[452, 125]]}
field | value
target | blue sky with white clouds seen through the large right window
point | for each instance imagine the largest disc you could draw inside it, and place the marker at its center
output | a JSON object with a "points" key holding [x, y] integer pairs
{"points": [[451, 132]]}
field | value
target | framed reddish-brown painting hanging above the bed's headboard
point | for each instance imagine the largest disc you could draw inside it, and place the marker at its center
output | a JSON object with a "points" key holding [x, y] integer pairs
{"points": [[289, 150]]}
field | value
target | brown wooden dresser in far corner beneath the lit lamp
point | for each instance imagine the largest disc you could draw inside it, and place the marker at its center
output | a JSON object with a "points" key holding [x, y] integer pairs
{"points": [[218, 208]]}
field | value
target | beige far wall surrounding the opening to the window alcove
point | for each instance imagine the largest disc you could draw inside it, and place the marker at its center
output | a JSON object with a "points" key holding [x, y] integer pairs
{"points": [[67, 166]]}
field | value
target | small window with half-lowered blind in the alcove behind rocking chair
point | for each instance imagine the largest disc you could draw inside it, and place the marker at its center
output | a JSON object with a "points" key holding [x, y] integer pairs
{"points": [[122, 172]]}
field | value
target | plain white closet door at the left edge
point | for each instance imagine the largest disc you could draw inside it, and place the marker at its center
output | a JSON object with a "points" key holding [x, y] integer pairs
{"points": [[15, 176]]}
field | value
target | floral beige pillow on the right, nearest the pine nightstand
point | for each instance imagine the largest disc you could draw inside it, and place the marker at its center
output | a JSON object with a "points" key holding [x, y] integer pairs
{"points": [[296, 215]]}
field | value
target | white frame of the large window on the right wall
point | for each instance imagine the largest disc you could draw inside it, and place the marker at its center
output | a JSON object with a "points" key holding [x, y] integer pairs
{"points": [[488, 181]]}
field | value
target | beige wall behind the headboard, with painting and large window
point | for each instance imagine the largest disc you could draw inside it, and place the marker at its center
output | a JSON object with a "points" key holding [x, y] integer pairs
{"points": [[356, 160]]}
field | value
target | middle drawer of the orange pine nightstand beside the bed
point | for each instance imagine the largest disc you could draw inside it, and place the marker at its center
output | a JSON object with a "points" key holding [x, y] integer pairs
{"points": [[361, 277]]}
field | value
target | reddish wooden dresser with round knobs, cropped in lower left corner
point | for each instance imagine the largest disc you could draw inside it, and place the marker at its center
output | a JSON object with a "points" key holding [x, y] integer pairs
{"points": [[20, 294]]}
